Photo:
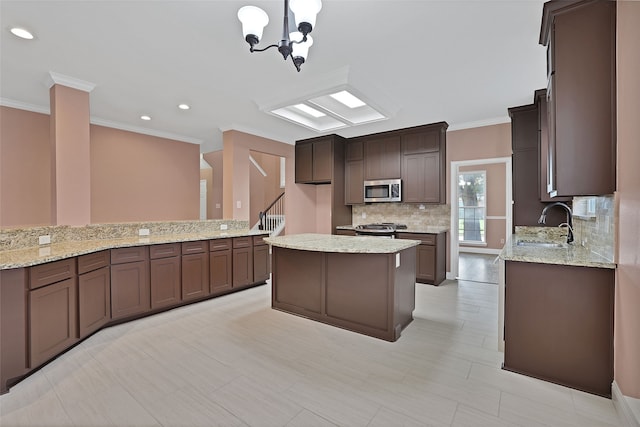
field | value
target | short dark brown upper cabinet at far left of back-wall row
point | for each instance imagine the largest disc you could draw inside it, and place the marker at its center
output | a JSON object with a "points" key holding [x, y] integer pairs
{"points": [[314, 161]]}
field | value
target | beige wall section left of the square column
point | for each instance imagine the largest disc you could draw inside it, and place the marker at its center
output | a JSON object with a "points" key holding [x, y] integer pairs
{"points": [[25, 168]]}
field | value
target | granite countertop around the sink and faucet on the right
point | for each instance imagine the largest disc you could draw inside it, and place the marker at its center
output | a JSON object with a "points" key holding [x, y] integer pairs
{"points": [[566, 255]]}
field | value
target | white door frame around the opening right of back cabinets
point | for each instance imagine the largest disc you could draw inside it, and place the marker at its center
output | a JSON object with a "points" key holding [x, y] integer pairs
{"points": [[455, 170]]}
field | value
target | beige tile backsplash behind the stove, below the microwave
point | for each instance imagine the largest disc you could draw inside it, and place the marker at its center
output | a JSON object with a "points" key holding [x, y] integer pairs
{"points": [[413, 215]]}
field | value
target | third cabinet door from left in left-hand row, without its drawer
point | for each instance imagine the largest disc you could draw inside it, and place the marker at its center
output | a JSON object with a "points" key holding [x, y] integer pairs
{"points": [[130, 289]]}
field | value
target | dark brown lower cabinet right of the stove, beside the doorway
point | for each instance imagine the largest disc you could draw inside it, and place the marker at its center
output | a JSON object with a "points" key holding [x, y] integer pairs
{"points": [[430, 256]]}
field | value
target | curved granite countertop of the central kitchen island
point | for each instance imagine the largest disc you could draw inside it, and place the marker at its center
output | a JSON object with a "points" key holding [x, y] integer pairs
{"points": [[341, 244]]}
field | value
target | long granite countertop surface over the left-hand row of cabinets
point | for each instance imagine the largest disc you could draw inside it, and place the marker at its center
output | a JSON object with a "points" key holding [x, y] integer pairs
{"points": [[56, 251]]}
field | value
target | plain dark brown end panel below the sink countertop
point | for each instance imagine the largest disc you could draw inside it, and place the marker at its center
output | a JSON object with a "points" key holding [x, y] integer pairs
{"points": [[559, 324]]}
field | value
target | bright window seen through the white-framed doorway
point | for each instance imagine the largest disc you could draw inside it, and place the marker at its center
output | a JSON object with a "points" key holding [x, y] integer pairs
{"points": [[471, 207]]}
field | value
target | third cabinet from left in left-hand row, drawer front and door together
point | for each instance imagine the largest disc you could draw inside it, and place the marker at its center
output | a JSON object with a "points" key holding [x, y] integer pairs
{"points": [[130, 284]]}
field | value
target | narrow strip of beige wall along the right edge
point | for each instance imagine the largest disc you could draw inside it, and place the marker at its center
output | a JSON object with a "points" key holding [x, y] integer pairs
{"points": [[627, 303]]}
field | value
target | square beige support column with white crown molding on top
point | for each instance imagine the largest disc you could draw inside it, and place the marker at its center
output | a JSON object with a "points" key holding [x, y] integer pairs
{"points": [[70, 151]]}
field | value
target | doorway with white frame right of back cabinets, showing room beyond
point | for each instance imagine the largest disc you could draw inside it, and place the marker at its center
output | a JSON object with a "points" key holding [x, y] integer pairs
{"points": [[492, 221]]}
